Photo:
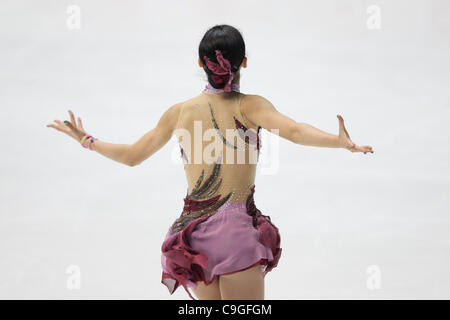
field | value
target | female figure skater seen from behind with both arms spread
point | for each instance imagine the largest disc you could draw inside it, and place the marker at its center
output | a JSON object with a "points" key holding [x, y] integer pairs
{"points": [[221, 245]]}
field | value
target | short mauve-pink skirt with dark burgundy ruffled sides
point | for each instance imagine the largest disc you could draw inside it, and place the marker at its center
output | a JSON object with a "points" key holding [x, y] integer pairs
{"points": [[228, 241]]}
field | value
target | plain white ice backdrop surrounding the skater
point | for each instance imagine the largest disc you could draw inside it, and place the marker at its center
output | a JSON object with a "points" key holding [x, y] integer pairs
{"points": [[338, 212]]}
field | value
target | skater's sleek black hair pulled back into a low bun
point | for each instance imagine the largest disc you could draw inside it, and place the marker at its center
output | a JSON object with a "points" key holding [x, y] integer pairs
{"points": [[226, 39]]}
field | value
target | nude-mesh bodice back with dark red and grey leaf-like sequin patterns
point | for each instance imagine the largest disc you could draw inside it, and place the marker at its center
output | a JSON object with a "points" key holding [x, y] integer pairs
{"points": [[220, 153]]}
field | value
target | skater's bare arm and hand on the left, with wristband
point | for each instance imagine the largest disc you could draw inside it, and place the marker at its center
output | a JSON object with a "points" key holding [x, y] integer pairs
{"points": [[129, 154]]}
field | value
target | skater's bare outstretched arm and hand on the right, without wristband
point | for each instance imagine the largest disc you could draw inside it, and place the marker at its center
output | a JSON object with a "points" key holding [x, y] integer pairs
{"points": [[261, 112]]}
